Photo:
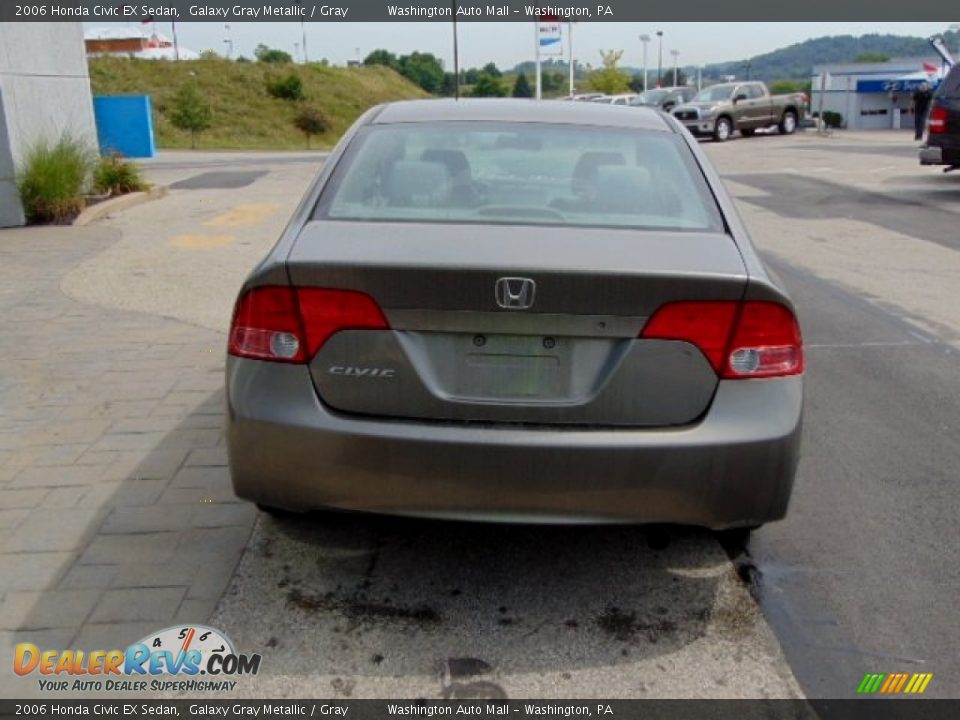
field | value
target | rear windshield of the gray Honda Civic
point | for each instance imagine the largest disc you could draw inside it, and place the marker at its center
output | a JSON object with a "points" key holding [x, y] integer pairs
{"points": [[520, 173]]}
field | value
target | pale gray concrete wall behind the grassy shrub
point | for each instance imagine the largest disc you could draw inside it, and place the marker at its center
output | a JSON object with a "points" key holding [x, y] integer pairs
{"points": [[44, 92]]}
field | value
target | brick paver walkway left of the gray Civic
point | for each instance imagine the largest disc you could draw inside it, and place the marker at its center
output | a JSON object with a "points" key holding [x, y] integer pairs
{"points": [[116, 512]]}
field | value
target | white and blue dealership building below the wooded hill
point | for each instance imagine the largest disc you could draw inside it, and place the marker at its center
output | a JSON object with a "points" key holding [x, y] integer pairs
{"points": [[874, 96]]}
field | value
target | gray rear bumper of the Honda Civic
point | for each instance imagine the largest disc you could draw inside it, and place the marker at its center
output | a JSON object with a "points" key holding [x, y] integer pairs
{"points": [[734, 468]]}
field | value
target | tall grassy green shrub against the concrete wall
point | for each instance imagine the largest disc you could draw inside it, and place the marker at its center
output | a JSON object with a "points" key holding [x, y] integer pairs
{"points": [[52, 180]]}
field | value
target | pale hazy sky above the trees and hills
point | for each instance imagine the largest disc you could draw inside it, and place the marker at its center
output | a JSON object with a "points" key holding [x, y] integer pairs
{"points": [[509, 43]]}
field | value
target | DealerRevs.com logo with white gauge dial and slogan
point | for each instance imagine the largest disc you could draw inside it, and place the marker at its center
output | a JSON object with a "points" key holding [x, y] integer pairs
{"points": [[185, 652]]}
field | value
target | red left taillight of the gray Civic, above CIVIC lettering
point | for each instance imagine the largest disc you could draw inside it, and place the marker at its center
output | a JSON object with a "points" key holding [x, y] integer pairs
{"points": [[285, 324]]}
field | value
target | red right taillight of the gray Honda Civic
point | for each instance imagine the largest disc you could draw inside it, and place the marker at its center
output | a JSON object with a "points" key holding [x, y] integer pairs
{"points": [[753, 339]]}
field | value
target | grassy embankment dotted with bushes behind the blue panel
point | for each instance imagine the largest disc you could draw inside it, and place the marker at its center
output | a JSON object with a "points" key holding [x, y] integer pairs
{"points": [[244, 114]]}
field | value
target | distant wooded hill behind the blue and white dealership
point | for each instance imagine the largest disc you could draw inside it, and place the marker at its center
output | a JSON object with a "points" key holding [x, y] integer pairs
{"points": [[796, 61]]}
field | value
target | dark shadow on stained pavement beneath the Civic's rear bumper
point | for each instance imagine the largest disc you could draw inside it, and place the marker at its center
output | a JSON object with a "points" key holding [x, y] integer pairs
{"points": [[369, 603]]}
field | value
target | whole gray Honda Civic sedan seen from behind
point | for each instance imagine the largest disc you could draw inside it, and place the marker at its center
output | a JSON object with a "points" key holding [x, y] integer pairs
{"points": [[519, 311]]}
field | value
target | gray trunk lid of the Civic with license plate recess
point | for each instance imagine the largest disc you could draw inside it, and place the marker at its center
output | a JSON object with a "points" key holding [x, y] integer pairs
{"points": [[571, 355]]}
